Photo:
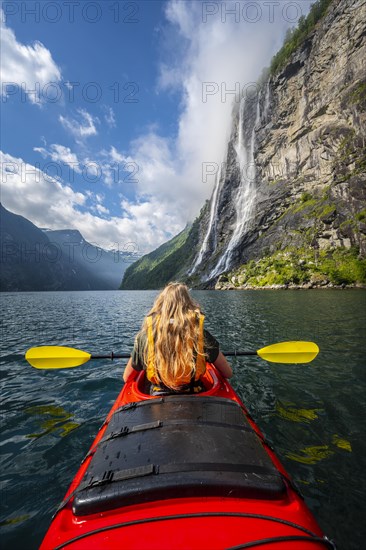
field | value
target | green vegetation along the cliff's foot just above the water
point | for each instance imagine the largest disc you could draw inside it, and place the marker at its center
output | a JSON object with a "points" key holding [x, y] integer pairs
{"points": [[301, 266]]}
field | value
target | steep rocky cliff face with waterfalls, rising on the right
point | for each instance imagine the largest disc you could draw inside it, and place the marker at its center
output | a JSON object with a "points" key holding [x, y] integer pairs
{"points": [[292, 186]]}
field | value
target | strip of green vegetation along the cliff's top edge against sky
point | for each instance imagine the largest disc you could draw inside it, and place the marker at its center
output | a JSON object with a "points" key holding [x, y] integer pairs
{"points": [[295, 37]]}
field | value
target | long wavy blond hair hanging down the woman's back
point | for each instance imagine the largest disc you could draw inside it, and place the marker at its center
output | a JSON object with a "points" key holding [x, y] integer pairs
{"points": [[176, 326]]}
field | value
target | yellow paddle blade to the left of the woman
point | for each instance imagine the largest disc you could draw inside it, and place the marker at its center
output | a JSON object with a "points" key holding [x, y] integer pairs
{"points": [[56, 357]]}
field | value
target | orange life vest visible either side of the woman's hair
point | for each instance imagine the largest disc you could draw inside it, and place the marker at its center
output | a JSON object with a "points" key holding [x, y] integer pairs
{"points": [[200, 360]]}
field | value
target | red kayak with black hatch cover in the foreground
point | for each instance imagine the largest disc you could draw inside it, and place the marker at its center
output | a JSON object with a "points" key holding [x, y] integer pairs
{"points": [[182, 472]]}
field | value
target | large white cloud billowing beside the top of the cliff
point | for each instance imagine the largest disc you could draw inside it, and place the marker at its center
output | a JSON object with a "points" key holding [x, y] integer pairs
{"points": [[227, 54]]}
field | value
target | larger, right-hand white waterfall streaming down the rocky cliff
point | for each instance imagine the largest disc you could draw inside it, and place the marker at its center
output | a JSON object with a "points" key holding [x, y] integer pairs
{"points": [[245, 196]]}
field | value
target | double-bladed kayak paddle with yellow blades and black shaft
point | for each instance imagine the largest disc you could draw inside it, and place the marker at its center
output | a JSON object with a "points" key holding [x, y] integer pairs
{"points": [[58, 357]]}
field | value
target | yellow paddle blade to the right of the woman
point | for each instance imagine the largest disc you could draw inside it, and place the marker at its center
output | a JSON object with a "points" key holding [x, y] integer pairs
{"points": [[289, 352]]}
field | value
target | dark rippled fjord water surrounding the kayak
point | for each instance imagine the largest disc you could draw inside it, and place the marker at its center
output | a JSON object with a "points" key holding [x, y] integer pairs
{"points": [[314, 415]]}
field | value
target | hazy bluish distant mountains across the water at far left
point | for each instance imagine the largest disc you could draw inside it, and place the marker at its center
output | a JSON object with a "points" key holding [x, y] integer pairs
{"points": [[35, 260]]}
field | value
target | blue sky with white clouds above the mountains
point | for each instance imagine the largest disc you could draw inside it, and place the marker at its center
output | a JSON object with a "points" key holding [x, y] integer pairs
{"points": [[113, 138]]}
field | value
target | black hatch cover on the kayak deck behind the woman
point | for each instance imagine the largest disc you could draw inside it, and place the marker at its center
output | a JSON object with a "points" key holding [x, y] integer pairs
{"points": [[174, 447]]}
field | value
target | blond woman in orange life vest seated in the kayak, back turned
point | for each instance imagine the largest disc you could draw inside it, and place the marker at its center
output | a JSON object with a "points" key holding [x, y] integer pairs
{"points": [[173, 345]]}
